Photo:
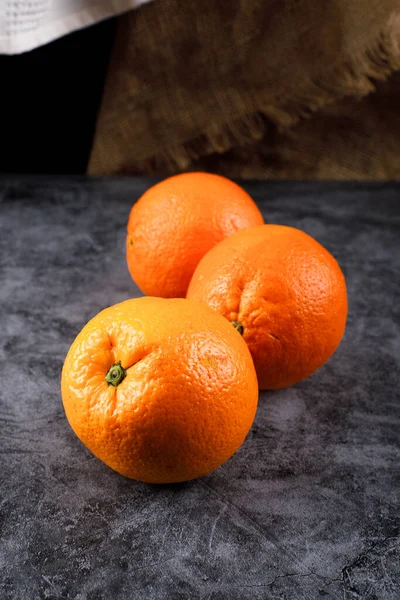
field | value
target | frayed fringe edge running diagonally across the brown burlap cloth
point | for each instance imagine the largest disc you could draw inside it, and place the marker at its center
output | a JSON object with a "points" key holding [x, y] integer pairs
{"points": [[353, 78]]}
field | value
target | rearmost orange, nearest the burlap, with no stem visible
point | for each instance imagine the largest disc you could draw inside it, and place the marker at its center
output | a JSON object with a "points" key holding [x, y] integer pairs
{"points": [[174, 224]]}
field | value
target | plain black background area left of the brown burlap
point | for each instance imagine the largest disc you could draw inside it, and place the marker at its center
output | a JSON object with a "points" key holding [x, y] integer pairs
{"points": [[49, 99]]}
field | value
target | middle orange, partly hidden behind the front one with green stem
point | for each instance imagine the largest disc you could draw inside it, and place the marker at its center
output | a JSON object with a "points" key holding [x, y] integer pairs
{"points": [[286, 290]]}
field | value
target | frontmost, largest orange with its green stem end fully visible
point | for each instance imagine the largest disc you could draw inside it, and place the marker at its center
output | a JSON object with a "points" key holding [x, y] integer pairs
{"points": [[160, 390]]}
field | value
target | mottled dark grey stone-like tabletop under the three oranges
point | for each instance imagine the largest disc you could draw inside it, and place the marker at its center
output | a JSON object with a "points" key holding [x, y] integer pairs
{"points": [[310, 505]]}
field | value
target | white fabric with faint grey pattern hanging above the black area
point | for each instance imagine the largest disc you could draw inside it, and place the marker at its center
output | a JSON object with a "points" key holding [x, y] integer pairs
{"points": [[27, 24]]}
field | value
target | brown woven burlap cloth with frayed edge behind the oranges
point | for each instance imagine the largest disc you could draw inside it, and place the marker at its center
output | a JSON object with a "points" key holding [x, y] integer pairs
{"points": [[254, 88]]}
